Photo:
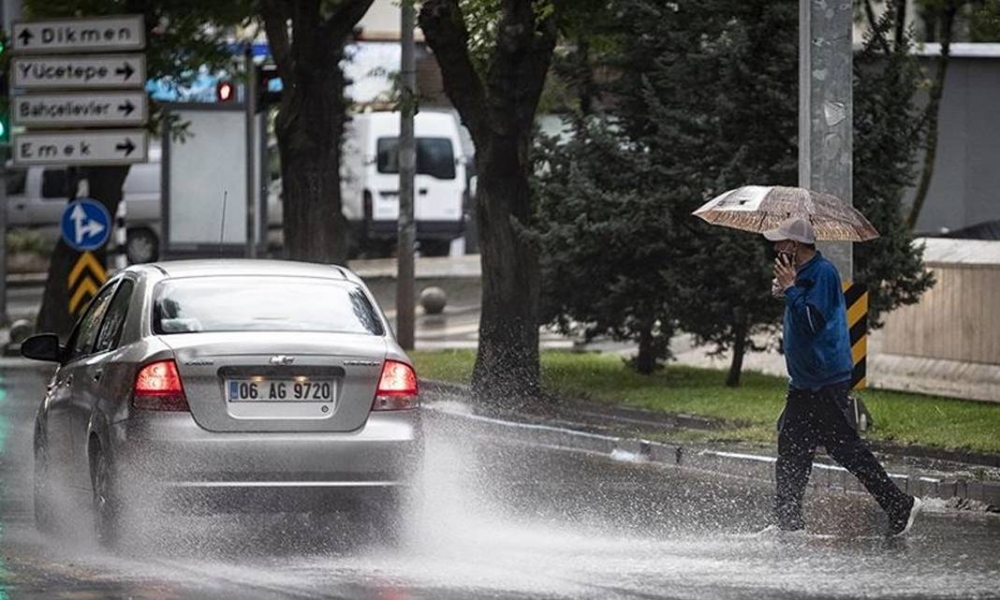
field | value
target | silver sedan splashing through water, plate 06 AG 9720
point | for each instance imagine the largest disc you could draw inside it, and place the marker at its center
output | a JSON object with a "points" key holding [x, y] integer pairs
{"points": [[226, 386]]}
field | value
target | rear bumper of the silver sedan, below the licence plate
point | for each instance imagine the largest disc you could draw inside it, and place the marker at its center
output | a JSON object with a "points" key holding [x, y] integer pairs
{"points": [[171, 454]]}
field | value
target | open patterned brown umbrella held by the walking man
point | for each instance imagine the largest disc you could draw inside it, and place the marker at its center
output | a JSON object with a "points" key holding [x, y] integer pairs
{"points": [[758, 208]]}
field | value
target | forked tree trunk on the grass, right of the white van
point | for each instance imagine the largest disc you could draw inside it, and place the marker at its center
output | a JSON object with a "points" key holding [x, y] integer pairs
{"points": [[498, 106]]}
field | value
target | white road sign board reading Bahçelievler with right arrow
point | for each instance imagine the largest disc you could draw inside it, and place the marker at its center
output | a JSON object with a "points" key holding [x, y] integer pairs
{"points": [[87, 109]]}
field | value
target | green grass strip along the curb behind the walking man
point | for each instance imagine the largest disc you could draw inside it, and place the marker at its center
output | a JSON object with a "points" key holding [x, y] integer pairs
{"points": [[749, 412]]}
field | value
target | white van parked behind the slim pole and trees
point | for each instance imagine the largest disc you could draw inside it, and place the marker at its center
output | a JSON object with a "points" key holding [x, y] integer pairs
{"points": [[370, 180]]}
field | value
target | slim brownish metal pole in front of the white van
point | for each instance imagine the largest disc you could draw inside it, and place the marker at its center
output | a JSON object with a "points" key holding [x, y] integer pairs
{"points": [[407, 171]]}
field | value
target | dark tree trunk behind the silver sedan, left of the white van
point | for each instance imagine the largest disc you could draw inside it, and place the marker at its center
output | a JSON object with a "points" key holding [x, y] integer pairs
{"points": [[309, 130]]}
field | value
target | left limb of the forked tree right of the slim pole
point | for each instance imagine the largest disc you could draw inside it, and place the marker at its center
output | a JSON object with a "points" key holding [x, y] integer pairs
{"points": [[444, 27]]}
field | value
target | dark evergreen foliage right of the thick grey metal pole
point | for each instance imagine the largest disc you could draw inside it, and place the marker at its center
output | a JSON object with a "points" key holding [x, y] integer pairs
{"points": [[888, 134]]}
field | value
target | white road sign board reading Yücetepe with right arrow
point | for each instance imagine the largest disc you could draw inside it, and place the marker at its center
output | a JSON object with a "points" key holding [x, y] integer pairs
{"points": [[79, 72]]}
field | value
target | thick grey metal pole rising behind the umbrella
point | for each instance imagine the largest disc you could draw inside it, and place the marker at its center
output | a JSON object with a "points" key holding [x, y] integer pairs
{"points": [[826, 110]]}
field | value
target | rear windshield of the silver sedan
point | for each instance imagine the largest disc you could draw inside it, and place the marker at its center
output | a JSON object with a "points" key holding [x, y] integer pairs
{"points": [[217, 304]]}
